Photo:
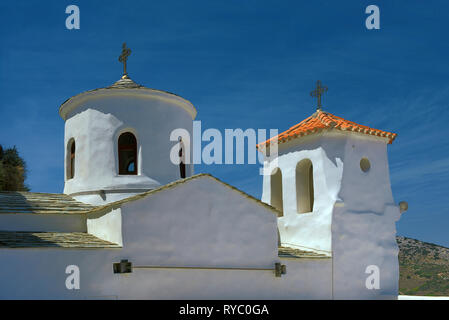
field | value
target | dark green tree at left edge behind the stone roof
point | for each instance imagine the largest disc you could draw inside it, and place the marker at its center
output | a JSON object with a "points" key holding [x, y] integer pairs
{"points": [[12, 170]]}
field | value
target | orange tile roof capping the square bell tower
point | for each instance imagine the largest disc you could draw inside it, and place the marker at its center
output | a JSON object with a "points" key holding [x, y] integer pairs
{"points": [[322, 120]]}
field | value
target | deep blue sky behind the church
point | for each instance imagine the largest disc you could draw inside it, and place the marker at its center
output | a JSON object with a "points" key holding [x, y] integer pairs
{"points": [[243, 64]]}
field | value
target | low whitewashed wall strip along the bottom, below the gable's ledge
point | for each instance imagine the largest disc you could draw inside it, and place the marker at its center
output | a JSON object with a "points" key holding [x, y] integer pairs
{"points": [[40, 274]]}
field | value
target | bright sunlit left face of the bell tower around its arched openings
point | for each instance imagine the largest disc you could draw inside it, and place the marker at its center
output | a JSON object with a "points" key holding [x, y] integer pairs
{"points": [[309, 230]]}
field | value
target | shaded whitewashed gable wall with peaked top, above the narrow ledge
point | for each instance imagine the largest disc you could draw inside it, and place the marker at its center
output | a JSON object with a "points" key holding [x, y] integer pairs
{"points": [[201, 222]]}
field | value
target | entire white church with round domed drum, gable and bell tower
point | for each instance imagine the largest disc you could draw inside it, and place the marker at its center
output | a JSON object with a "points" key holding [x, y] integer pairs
{"points": [[130, 224]]}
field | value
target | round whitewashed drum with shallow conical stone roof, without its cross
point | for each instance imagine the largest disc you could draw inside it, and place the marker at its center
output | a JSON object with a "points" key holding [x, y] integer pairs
{"points": [[96, 120]]}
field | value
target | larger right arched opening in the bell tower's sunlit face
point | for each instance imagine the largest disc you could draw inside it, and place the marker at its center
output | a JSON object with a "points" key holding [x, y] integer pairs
{"points": [[304, 186]]}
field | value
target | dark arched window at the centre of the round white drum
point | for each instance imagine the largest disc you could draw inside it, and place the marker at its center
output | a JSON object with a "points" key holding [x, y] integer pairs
{"points": [[127, 154]]}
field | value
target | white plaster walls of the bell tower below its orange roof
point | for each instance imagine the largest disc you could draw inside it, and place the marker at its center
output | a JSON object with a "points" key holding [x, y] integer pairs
{"points": [[354, 214]]}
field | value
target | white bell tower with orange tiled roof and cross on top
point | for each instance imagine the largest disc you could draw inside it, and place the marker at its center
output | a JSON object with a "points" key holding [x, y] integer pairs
{"points": [[331, 182]]}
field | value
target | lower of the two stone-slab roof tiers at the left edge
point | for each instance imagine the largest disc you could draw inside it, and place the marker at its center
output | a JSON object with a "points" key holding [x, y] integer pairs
{"points": [[77, 240]]}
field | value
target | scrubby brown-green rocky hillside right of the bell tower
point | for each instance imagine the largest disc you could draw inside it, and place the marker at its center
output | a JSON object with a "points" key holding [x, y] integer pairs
{"points": [[424, 268]]}
